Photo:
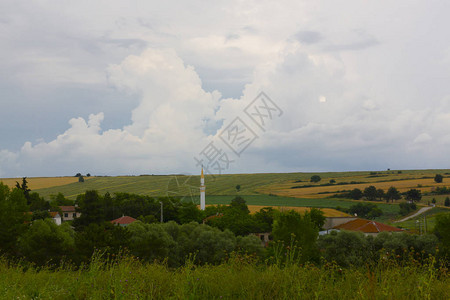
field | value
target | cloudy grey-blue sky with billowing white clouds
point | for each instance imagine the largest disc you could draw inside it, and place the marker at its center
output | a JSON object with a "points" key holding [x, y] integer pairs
{"points": [[163, 87]]}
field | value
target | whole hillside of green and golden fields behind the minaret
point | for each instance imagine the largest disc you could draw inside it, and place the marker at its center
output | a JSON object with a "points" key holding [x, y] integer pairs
{"points": [[262, 189]]}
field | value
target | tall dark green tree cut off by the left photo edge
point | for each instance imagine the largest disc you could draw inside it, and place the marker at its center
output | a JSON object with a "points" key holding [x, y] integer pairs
{"points": [[13, 215]]}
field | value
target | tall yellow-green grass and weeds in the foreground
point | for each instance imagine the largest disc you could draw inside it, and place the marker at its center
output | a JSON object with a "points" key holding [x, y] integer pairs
{"points": [[239, 278]]}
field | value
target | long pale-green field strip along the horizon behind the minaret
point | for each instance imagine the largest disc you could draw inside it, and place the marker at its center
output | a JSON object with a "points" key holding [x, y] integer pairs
{"points": [[251, 184]]}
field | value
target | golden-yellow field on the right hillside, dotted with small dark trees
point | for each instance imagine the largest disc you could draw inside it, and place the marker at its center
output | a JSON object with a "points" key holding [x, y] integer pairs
{"points": [[284, 189]]}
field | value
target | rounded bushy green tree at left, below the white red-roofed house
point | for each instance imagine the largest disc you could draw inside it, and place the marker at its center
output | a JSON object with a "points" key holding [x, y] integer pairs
{"points": [[47, 242]]}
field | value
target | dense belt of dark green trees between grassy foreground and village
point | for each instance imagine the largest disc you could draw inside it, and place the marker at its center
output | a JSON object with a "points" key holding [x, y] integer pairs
{"points": [[42, 241]]}
